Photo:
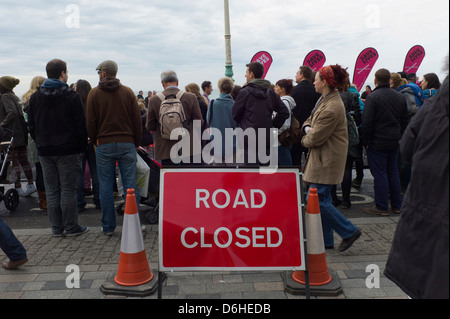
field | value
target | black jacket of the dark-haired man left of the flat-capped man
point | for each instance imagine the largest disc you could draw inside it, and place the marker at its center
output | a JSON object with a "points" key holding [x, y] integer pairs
{"points": [[57, 122]]}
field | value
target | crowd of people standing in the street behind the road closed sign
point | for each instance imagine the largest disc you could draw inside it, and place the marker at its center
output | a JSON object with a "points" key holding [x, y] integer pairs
{"points": [[106, 125]]}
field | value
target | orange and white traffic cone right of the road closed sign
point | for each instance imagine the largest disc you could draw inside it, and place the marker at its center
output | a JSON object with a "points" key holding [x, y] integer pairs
{"points": [[317, 262]]}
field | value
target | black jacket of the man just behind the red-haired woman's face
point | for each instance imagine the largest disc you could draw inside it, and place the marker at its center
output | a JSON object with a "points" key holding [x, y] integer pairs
{"points": [[305, 97]]}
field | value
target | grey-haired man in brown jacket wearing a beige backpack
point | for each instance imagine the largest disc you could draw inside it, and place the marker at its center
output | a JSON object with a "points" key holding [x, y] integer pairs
{"points": [[163, 147]]}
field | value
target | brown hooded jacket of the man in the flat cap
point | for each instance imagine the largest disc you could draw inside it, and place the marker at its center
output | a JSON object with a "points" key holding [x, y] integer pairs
{"points": [[112, 114]]}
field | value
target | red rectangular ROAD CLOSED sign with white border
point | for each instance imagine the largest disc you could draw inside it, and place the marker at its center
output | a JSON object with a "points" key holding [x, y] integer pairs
{"points": [[228, 219]]}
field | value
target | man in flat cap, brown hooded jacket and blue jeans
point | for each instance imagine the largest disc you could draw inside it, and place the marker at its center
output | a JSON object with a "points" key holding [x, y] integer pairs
{"points": [[114, 125]]}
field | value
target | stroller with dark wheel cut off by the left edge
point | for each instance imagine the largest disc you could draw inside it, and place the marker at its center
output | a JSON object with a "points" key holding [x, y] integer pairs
{"points": [[11, 197]]}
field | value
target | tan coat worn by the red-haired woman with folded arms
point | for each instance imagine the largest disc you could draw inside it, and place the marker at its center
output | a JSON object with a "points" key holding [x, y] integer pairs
{"points": [[327, 143]]}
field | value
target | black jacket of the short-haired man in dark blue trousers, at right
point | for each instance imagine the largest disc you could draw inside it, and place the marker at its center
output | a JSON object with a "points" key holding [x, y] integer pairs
{"points": [[384, 119]]}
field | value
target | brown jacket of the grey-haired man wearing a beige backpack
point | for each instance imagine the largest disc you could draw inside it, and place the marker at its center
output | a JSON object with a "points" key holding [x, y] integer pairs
{"points": [[192, 111]]}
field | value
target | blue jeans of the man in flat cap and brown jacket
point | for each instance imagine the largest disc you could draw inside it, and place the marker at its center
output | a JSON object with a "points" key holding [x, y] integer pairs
{"points": [[107, 155]]}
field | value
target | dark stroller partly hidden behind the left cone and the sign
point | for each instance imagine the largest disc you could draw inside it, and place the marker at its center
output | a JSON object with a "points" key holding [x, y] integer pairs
{"points": [[152, 199]]}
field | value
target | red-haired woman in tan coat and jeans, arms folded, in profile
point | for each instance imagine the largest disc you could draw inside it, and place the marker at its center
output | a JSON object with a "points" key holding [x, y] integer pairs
{"points": [[326, 137]]}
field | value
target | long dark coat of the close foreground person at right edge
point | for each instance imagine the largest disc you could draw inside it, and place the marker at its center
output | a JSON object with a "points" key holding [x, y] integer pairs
{"points": [[419, 260]]}
